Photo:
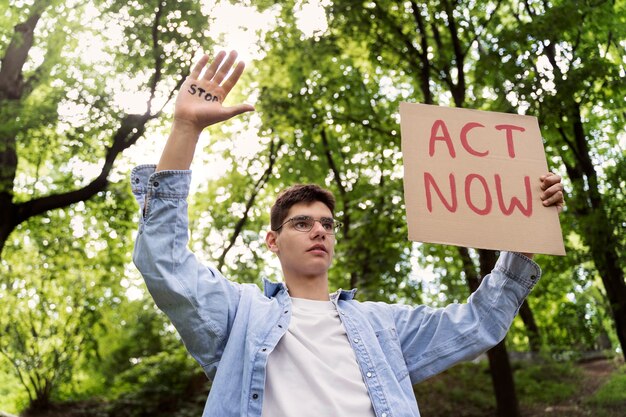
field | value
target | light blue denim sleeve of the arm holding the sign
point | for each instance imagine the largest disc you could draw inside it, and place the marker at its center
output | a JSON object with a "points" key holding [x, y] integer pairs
{"points": [[433, 340]]}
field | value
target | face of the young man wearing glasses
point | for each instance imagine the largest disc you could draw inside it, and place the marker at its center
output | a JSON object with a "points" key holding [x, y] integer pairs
{"points": [[304, 254]]}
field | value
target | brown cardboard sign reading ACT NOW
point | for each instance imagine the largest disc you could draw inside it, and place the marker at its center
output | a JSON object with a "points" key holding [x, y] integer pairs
{"points": [[471, 178]]}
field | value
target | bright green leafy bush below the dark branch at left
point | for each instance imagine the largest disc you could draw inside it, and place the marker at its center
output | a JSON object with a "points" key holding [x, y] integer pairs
{"points": [[55, 281]]}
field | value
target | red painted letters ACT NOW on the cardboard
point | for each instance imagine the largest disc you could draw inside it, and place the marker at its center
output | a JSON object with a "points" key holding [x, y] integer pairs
{"points": [[439, 133]]}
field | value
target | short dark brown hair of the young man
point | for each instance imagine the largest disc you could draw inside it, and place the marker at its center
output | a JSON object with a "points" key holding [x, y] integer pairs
{"points": [[299, 193]]}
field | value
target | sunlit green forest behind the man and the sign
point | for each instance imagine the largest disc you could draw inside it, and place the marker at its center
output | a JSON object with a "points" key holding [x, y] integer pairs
{"points": [[86, 92]]}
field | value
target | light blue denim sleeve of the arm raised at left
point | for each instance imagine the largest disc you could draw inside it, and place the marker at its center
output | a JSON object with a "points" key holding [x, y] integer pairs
{"points": [[199, 301]]}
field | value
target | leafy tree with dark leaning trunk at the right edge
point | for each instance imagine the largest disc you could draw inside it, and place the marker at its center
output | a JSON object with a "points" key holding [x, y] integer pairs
{"points": [[569, 71]]}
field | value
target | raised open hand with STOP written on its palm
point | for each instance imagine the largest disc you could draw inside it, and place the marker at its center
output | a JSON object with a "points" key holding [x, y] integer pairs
{"points": [[200, 98]]}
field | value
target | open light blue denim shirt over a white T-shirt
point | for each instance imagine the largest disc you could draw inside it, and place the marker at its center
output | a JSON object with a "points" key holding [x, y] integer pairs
{"points": [[232, 328]]}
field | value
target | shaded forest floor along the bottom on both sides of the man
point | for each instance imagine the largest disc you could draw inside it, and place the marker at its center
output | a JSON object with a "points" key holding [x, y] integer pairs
{"points": [[465, 391]]}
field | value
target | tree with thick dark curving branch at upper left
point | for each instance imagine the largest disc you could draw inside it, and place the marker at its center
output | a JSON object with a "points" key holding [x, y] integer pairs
{"points": [[39, 141]]}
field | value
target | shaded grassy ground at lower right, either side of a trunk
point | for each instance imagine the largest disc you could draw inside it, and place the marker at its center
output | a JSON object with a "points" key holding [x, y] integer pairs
{"points": [[466, 390]]}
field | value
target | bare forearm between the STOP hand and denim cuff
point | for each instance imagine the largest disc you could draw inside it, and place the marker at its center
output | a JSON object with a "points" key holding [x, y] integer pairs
{"points": [[180, 147]]}
